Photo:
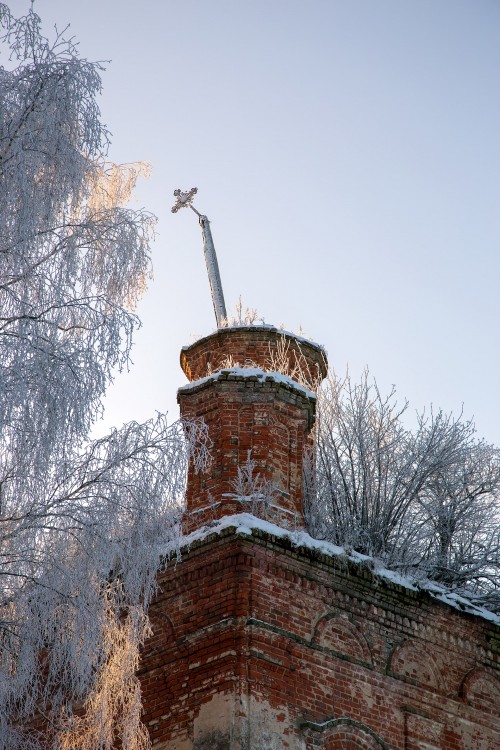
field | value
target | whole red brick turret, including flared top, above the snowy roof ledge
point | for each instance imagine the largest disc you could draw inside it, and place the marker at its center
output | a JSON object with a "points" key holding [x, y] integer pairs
{"points": [[249, 412]]}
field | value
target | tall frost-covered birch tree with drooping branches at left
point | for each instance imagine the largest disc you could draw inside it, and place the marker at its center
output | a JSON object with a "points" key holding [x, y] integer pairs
{"points": [[82, 523]]}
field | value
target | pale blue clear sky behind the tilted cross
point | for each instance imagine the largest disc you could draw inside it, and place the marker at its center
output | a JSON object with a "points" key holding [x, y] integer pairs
{"points": [[347, 154]]}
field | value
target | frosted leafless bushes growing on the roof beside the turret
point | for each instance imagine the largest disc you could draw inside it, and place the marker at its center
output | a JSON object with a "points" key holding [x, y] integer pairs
{"points": [[423, 499]]}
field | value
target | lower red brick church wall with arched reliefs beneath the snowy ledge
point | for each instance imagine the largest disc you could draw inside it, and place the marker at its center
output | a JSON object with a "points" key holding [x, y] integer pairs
{"points": [[261, 645]]}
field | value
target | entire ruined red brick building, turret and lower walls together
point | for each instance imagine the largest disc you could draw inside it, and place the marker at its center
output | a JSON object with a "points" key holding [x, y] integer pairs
{"points": [[266, 639]]}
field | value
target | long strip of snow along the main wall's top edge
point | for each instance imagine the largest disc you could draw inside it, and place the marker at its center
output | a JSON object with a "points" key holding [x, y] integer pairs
{"points": [[246, 524]]}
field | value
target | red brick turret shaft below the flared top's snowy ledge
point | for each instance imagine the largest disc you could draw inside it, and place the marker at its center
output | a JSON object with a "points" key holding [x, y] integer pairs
{"points": [[267, 418]]}
